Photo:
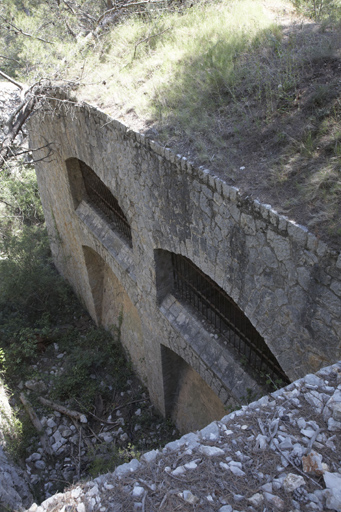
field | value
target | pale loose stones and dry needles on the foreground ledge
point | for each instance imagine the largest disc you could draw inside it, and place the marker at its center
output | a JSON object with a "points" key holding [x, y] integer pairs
{"points": [[281, 453]]}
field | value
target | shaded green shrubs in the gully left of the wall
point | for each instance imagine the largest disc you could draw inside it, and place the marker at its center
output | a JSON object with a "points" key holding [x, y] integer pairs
{"points": [[39, 314]]}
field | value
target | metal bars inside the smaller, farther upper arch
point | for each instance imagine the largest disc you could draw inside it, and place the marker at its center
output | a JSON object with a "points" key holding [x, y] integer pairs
{"points": [[101, 197]]}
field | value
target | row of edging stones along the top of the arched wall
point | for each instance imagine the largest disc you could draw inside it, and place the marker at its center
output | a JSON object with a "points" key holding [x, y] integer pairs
{"points": [[297, 232]]}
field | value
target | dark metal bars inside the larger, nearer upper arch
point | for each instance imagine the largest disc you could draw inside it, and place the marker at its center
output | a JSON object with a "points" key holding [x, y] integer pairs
{"points": [[196, 288]]}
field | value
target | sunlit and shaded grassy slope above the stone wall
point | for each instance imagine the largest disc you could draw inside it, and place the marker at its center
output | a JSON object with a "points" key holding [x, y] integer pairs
{"points": [[234, 85]]}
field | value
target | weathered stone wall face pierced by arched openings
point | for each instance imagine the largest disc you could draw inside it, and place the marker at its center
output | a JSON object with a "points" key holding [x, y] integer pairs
{"points": [[286, 281]]}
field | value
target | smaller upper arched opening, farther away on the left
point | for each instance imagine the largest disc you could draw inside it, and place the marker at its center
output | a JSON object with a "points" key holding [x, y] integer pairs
{"points": [[85, 184]]}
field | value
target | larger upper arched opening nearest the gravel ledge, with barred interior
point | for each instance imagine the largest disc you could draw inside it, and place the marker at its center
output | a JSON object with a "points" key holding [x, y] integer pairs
{"points": [[178, 275]]}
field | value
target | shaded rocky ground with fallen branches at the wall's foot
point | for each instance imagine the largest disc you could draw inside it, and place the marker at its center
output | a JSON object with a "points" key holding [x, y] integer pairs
{"points": [[62, 445]]}
